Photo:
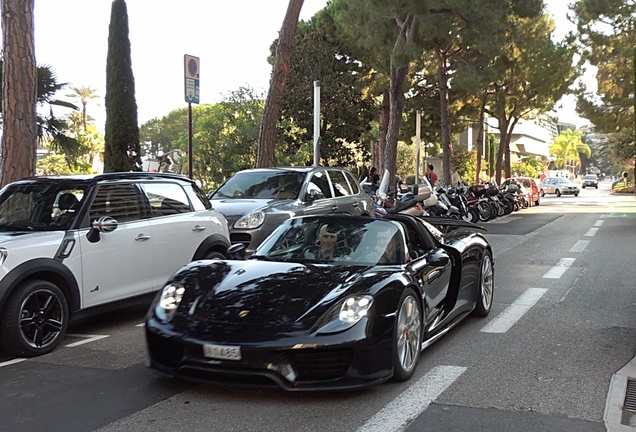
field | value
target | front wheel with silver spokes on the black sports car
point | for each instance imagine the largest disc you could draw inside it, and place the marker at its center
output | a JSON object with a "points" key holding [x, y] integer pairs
{"points": [[407, 336]]}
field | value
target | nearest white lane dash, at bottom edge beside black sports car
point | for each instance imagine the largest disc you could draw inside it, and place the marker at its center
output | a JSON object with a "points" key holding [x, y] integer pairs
{"points": [[396, 416]]}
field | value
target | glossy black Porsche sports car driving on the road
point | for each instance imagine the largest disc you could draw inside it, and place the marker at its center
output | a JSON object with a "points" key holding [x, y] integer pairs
{"points": [[325, 302]]}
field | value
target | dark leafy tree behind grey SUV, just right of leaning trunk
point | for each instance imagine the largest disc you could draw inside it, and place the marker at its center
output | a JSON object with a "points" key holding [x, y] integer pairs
{"points": [[346, 114]]}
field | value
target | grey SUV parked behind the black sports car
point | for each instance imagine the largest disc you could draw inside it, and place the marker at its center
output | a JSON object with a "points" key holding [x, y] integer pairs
{"points": [[257, 201]]}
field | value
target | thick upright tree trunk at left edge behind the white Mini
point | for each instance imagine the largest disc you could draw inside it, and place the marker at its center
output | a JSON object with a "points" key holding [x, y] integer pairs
{"points": [[19, 91]]}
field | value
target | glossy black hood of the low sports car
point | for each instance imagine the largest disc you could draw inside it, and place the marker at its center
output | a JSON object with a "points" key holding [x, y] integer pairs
{"points": [[267, 294]]}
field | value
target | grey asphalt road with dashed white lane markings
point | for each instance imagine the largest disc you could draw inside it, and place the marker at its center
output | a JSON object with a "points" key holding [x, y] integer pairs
{"points": [[563, 323]]}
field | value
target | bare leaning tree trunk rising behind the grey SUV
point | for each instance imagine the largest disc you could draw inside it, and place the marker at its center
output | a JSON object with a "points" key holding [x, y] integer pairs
{"points": [[267, 135]]}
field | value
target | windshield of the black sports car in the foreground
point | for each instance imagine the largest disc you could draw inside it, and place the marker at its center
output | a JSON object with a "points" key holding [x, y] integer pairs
{"points": [[343, 240]]}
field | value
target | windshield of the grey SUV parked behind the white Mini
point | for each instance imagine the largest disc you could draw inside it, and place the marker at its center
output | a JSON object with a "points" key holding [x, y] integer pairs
{"points": [[262, 185]]}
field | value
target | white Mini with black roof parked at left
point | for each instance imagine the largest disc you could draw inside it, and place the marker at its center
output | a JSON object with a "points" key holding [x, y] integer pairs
{"points": [[71, 244]]}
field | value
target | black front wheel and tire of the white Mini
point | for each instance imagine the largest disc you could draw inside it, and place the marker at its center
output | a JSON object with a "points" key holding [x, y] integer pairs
{"points": [[34, 319]]}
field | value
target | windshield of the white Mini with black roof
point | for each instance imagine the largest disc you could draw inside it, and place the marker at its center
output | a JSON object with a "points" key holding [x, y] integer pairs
{"points": [[39, 207]]}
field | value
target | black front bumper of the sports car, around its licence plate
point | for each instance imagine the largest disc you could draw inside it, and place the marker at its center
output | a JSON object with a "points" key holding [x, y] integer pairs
{"points": [[358, 357]]}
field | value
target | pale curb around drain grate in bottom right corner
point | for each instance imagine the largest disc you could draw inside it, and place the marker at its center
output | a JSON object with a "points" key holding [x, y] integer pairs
{"points": [[614, 412]]}
